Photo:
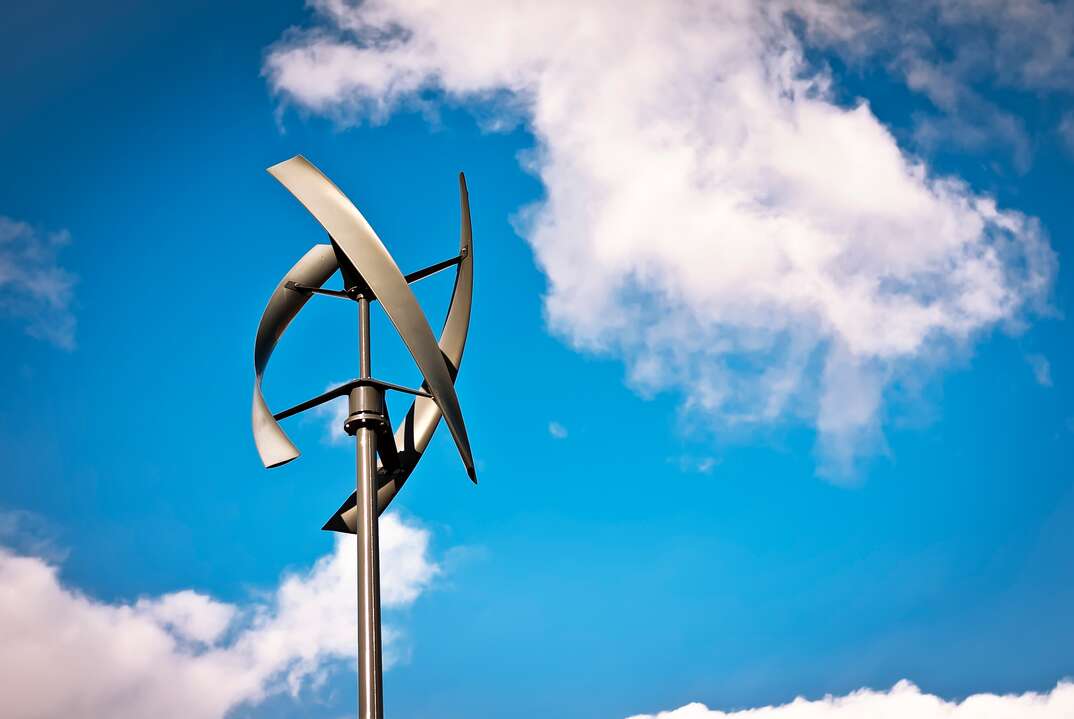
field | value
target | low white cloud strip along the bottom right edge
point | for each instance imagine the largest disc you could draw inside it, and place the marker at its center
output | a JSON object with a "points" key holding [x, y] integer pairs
{"points": [[905, 700]]}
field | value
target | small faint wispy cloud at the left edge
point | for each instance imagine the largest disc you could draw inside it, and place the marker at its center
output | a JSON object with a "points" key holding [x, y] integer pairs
{"points": [[35, 290]]}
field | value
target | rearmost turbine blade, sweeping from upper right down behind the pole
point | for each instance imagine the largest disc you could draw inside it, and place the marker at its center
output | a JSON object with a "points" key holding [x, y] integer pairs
{"points": [[414, 436]]}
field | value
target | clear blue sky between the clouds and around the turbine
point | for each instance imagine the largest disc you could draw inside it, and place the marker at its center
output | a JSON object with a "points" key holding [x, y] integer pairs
{"points": [[601, 579]]}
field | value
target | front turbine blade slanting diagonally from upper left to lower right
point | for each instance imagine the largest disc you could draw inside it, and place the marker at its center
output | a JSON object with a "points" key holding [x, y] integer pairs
{"points": [[361, 247]]}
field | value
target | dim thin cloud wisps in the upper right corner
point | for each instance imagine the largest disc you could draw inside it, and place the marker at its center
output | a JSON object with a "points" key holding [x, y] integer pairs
{"points": [[956, 53]]}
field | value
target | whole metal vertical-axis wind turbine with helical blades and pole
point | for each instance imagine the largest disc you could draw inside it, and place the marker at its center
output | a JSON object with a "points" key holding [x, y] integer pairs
{"points": [[386, 457]]}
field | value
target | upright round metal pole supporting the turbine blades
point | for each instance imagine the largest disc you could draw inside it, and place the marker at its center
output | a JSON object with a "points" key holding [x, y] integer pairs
{"points": [[367, 409]]}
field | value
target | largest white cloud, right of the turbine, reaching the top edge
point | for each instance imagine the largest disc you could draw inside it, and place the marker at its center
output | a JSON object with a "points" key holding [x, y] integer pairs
{"points": [[714, 215]]}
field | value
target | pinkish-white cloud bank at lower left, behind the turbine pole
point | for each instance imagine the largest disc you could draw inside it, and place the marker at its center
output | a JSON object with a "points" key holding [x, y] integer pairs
{"points": [[187, 655]]}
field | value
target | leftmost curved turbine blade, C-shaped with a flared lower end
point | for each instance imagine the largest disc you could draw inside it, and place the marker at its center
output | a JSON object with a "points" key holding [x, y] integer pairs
{"points": [[314, 269]]}
